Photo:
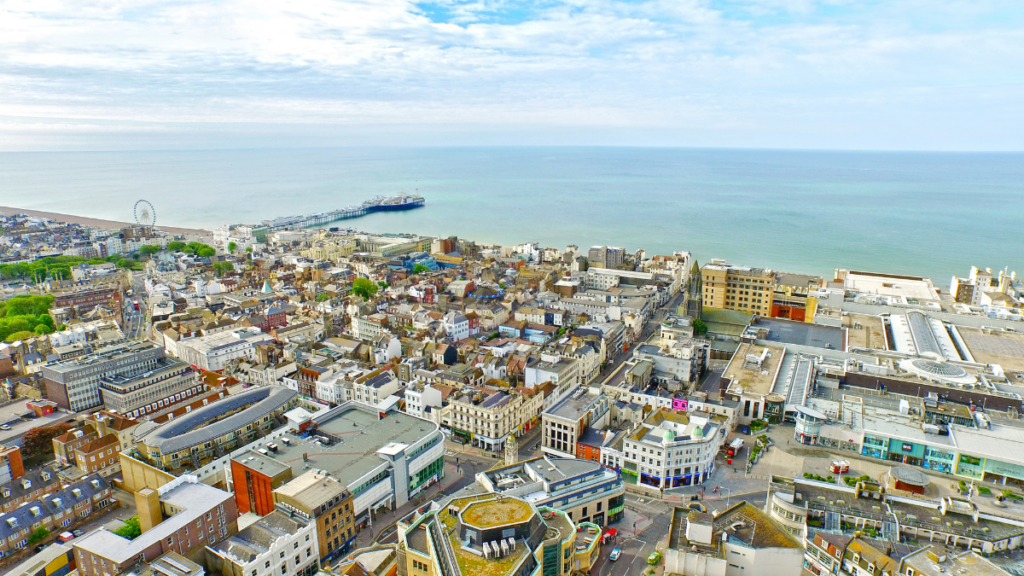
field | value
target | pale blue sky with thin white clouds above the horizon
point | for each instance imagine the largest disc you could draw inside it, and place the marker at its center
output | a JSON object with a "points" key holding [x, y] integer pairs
{"points": [[791, 74]]}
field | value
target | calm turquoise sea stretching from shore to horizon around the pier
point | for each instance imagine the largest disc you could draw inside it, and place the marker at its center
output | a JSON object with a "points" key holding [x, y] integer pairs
{"points": [[931, 215]]}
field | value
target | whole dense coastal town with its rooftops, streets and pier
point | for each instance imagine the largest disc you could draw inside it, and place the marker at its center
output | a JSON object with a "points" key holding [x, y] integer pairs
{"points": [[288, 399]]}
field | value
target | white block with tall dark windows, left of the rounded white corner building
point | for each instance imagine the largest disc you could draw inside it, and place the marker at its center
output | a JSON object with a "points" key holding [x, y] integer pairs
{"points": [[566, 422]]}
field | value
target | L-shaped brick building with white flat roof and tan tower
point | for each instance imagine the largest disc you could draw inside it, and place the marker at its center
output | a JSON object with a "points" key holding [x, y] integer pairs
{"points": [[183, 516]]}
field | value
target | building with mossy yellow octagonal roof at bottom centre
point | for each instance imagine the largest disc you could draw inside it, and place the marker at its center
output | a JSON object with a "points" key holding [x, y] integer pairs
{"points": [[497, 537]]}
